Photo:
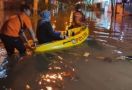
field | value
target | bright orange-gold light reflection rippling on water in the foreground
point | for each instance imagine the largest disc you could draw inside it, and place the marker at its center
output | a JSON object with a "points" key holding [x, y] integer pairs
{"points": [[58, 71]]}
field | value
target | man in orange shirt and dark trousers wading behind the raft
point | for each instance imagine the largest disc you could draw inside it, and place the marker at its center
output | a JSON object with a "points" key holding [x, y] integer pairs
{"points": [[10, 31]]}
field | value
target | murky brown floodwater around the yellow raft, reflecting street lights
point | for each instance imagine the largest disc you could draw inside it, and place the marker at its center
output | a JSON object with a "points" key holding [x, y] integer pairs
{"points": [[93, 65]]}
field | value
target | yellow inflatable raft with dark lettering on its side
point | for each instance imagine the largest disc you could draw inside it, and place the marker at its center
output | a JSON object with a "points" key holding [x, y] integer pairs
{"points": [[80, 35]]}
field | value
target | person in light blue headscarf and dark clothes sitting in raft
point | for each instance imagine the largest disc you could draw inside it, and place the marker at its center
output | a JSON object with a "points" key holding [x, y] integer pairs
{"points": [[45, 32]]}
